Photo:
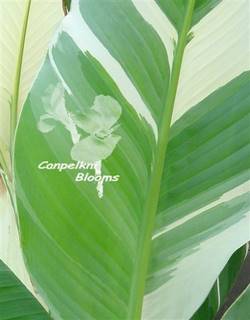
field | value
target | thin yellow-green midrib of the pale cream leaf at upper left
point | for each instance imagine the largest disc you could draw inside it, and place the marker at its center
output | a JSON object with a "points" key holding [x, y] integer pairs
{"points": [[15, 97]]}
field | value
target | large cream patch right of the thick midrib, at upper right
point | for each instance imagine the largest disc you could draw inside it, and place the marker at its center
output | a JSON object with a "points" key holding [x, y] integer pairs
{"points": [[219, 52]]}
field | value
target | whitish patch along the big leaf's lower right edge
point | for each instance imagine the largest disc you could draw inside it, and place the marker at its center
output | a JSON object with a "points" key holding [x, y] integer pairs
{"points": [[191, 270]]}
